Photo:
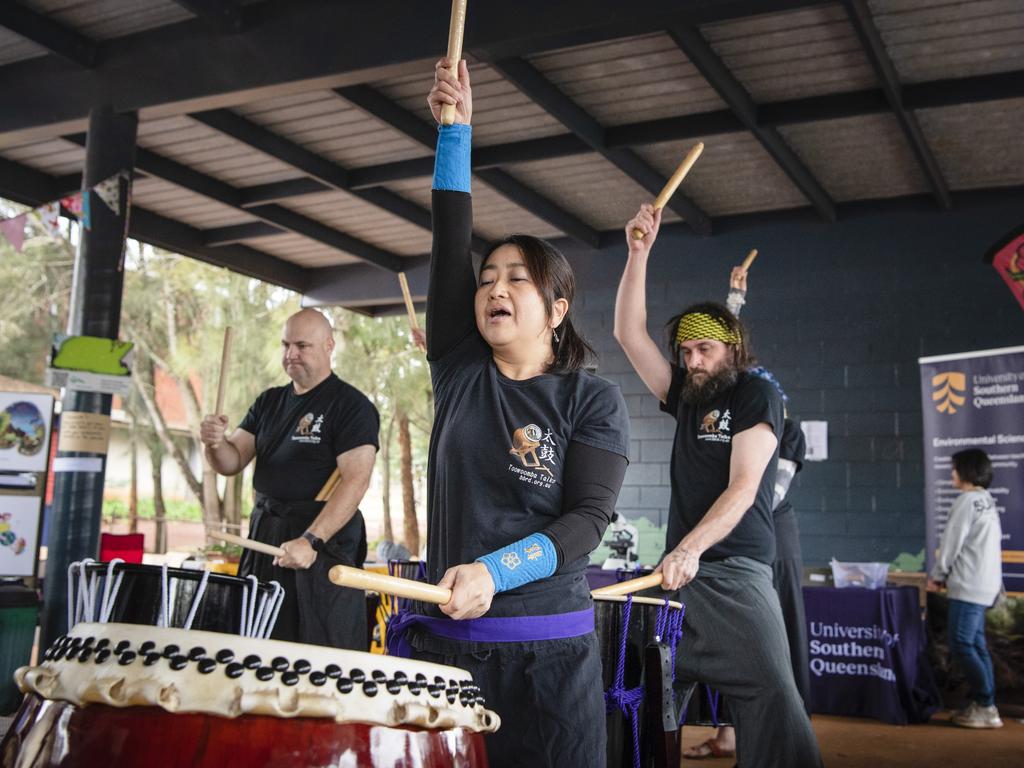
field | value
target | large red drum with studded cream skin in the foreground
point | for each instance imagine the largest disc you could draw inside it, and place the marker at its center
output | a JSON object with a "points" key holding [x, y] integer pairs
{"points": [[132, 696]]}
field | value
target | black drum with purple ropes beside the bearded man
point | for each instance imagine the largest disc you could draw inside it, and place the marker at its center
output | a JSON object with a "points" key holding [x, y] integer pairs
{"points": [[638, 638]]}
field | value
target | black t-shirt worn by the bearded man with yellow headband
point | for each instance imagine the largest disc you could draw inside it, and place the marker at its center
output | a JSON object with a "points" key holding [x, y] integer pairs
{"points": [[701, 464]]}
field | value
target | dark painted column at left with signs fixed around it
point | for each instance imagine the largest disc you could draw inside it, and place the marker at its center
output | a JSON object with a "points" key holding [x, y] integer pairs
{"points": [[96, 311]]}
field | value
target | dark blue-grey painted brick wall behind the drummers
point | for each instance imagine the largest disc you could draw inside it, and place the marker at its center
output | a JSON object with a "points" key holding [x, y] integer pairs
{"points": [[840, 313]]}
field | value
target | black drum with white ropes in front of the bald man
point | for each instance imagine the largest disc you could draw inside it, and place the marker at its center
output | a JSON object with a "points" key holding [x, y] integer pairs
{"points": [[161, 596]]}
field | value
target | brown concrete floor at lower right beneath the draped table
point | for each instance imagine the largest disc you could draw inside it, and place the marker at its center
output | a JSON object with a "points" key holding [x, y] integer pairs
{"points": [[856, 743]]}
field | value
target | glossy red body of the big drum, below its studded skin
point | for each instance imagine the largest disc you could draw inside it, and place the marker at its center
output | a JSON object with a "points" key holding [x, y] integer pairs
{"points": [[57, 734]]}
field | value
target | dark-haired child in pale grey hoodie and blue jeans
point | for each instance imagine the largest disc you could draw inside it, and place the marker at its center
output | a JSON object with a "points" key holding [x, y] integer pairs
{"points": [[969, 567]]}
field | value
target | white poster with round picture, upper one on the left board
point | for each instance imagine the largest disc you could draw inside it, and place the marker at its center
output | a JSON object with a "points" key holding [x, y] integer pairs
{"points": [[25, 432]]}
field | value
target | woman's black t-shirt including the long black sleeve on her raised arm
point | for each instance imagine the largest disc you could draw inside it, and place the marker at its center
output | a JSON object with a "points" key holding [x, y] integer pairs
{"points": [[498, 447]]}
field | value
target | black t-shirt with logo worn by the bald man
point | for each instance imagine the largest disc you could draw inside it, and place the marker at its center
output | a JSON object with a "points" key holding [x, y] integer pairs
{"points": [[301, 437]]}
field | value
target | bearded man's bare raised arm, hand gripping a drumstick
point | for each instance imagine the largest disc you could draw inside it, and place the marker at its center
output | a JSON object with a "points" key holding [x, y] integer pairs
{"points": [[631, 307]]}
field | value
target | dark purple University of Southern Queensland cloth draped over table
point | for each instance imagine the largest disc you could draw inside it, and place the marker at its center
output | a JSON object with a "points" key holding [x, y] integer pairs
{"points": [[868, 655]]}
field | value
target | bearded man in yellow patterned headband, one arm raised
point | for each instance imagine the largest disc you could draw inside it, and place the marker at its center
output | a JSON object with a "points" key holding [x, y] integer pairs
{"points": [[720, 542]]}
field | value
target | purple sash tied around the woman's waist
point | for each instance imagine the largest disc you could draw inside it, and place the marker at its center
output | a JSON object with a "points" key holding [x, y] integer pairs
{"points": [[490, 629]]}
